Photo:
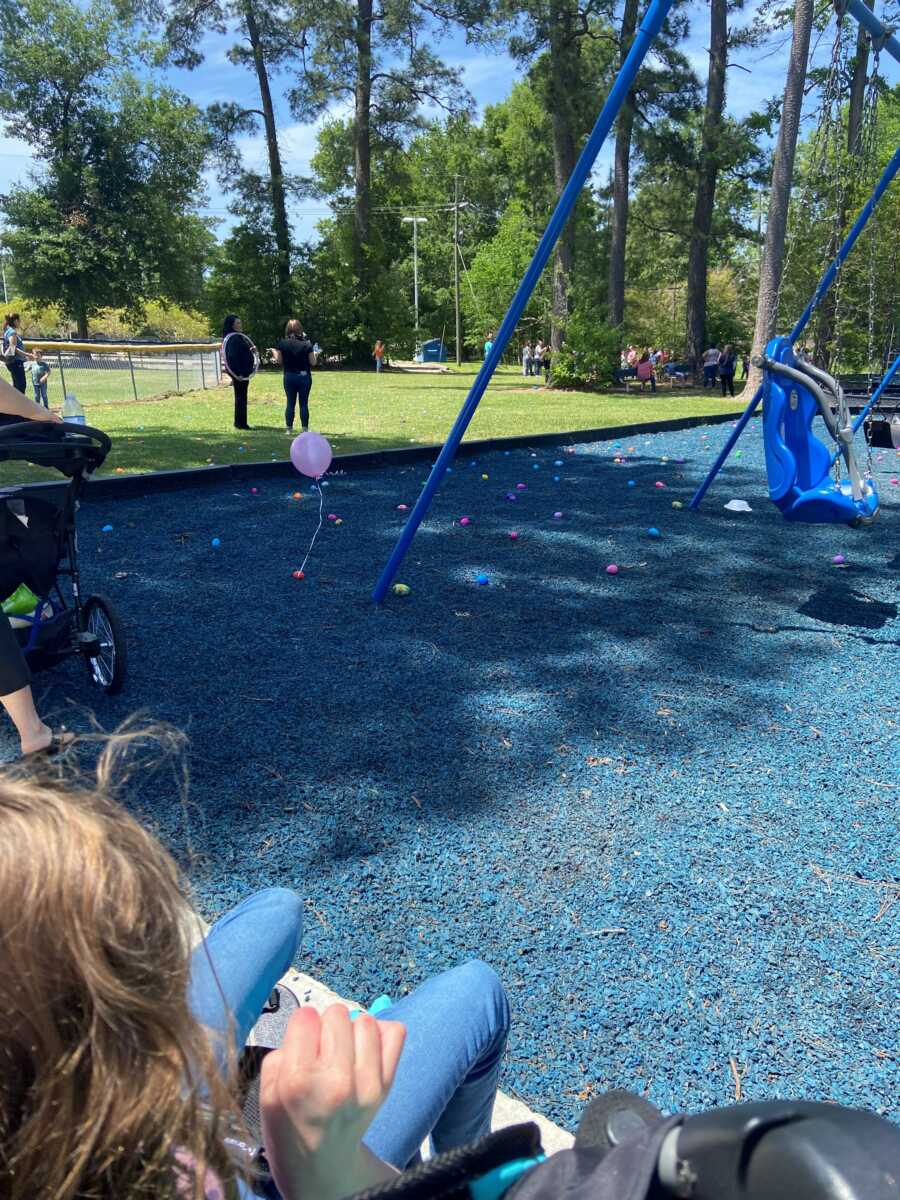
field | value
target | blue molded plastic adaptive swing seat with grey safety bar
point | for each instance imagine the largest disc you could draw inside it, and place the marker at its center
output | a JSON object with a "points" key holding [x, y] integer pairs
{"points": [[797, 463]]}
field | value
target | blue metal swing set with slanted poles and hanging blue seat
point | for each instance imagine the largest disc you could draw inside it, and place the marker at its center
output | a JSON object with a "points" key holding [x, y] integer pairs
{"points": [[799, 464]]}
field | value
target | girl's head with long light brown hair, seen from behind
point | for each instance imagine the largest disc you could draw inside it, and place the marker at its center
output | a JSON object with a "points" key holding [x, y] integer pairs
{"points": [[101, 1061]]}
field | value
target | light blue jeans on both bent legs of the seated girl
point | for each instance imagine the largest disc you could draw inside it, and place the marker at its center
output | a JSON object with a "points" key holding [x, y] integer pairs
{"points": [[457, 1027]]}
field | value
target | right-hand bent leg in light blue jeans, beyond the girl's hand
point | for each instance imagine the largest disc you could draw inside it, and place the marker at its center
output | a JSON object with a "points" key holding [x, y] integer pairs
{"points": [[457, 1033]]}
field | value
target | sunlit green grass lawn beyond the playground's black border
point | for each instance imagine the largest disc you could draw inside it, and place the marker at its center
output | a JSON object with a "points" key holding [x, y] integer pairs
{"points": [[357, 411]]}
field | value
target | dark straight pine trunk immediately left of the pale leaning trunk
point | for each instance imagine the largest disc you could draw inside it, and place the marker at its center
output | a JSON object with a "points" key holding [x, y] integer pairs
{"points": [[707, 176]]}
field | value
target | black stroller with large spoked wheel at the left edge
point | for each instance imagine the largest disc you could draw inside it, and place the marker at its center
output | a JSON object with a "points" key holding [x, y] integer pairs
{"points": [[39, 548]]}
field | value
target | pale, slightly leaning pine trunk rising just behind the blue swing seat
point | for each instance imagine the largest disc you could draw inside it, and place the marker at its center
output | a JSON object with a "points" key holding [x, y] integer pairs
{"points": [[773, 255]]}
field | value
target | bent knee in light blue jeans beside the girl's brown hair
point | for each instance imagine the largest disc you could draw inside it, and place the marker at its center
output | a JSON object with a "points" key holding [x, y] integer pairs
{"points": [[236, 968]]}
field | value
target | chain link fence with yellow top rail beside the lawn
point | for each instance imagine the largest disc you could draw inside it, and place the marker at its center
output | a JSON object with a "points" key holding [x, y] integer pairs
{"points": [[99, 374]]}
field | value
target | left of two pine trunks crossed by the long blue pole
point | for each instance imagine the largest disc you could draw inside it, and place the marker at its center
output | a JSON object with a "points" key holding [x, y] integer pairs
{"points": [[563, 70]]}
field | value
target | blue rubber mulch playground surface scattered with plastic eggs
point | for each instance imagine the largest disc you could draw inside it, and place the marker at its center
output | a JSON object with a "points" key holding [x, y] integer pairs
{"points": [[663, 805]]}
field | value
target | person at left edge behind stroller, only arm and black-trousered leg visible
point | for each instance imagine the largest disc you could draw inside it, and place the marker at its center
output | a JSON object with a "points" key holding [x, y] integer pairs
{"points": [[16, 695]]}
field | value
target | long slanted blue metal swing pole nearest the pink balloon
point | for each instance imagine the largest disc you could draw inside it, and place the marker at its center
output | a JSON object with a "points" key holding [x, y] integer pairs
{"points": [[645, 38]]}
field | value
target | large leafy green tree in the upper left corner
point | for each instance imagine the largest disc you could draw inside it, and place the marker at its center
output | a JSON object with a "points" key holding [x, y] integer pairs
{"points": [[109, 219]]}
